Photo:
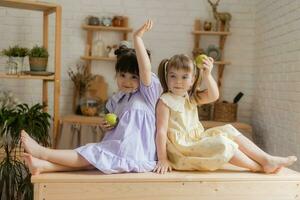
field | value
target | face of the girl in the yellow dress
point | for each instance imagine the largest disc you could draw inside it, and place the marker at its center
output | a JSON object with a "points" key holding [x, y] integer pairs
{"points": [[179, 81]]}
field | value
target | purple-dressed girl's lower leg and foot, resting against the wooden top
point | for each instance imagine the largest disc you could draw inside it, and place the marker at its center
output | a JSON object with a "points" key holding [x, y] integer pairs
{"points": [[37, 166]]}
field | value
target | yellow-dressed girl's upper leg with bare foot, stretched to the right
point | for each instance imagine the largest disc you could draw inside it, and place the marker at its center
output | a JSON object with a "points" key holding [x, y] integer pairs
{"points": [[270, 164]]}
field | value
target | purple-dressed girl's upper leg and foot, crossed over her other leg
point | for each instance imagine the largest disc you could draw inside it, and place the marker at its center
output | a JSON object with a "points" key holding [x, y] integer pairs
{"points": [[67, 158]]}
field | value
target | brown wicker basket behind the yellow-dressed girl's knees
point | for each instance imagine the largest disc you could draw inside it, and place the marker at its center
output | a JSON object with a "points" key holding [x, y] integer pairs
{"points": [[225, 112]]}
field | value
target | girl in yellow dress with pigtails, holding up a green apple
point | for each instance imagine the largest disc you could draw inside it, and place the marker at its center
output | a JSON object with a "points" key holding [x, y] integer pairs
{"points": [[182, 143]]}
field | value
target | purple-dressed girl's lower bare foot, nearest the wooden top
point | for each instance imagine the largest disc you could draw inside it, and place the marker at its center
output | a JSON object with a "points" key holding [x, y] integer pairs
{"points": [[35, 165]]}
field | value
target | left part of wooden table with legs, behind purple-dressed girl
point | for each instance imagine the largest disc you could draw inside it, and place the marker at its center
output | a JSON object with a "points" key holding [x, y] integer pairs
{"points": [[76, 122]]}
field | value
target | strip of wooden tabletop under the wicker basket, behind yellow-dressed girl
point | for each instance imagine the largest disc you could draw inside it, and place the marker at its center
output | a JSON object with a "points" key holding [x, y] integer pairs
{"points": [[244, 128]]}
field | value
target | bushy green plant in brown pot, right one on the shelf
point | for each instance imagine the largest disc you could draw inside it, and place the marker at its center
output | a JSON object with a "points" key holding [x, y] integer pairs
{"points": [[38, 58]]}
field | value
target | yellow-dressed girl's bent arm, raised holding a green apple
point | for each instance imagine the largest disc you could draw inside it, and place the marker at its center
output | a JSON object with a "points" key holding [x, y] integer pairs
{"points": [[211, 94]]}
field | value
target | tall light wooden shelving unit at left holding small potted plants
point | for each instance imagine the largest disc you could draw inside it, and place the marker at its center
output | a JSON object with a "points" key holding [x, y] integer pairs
{"points": [[47, 9]]}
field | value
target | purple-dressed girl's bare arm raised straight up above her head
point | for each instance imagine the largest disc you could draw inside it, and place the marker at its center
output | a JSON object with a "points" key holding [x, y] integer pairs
{"points": [[141, 53]]}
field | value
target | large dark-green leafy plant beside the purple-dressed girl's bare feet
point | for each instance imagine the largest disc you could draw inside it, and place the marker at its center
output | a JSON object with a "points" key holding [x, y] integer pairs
{"points": [[14, 175]]}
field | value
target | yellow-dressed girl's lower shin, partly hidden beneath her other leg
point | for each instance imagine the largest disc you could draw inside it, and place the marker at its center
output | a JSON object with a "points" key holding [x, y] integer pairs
{"points": [[241, 160]]}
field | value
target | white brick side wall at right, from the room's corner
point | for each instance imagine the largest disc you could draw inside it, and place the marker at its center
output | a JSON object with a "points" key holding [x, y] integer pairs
{"points": [[276, 105]]}
